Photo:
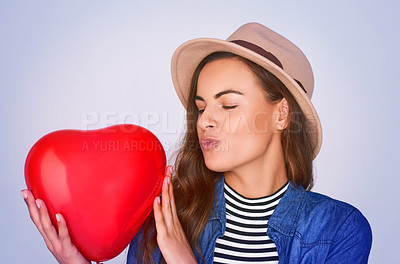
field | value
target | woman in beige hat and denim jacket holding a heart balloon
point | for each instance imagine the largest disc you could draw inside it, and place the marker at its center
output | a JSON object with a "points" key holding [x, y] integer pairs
{"points": [[240, 192]]}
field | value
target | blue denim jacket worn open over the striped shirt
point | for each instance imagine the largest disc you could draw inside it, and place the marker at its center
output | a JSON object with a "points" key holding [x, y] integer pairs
{"points": [[306, 228]]}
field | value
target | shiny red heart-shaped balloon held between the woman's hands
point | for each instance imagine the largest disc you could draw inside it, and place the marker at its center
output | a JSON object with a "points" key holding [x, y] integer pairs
{"points": [[102, 181]]}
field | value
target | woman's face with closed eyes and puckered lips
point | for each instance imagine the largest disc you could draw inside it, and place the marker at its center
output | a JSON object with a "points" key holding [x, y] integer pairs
{"points": [[236, 126]]}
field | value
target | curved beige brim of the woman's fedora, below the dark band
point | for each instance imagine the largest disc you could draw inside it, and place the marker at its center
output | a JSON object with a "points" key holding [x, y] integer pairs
{"points": [[188, 56]]}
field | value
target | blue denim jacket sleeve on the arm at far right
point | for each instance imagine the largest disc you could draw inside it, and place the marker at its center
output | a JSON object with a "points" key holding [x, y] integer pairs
{"points": [[352, 242]]}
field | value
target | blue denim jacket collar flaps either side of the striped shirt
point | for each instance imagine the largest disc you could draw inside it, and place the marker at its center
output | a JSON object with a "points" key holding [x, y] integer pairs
{"points": [[285, 217]]}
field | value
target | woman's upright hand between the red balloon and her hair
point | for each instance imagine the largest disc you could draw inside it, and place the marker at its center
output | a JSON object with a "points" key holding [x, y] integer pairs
{"points": [[171, 238]]}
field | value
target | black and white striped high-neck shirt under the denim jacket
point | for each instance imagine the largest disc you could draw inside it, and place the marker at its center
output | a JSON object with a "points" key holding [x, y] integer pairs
{"points": [[245, 239]]}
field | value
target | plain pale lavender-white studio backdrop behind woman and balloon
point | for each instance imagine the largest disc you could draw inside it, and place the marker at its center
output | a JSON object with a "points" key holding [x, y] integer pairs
{"points": [[90, 64]]}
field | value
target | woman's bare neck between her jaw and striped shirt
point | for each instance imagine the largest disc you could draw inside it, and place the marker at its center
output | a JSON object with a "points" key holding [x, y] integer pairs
{"points": [[262, 177]]}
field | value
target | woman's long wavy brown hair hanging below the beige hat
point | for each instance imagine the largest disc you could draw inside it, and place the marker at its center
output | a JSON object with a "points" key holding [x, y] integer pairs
{"points": [[194, 183]]}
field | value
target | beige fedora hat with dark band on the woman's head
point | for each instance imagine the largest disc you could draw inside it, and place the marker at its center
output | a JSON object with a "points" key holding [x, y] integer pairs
{"points": [[264, 47]]}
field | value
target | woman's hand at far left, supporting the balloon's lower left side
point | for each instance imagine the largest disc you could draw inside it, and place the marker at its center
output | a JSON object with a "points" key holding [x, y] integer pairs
{"points": [[59, 244]]}
